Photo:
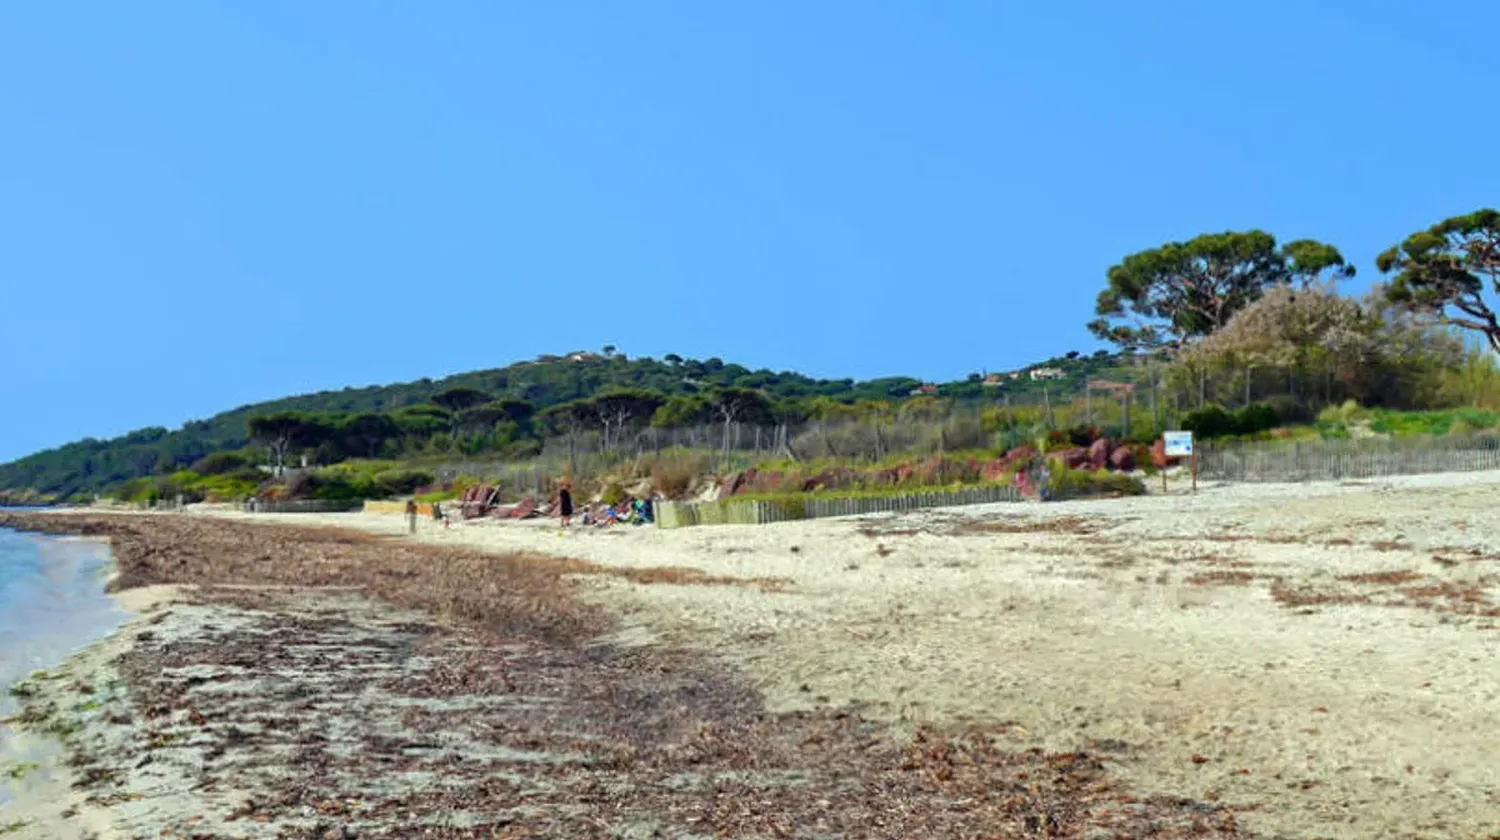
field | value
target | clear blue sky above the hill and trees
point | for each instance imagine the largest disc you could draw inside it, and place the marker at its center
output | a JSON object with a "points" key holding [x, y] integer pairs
{"points": [[206, 205]]}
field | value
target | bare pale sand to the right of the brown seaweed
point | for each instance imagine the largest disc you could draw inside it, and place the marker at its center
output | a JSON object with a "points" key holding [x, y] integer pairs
{"points": [[1346, 721]]}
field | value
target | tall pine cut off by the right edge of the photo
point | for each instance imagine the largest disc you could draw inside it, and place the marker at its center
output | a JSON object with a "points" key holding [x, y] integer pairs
{"points": [[1442, 274]]}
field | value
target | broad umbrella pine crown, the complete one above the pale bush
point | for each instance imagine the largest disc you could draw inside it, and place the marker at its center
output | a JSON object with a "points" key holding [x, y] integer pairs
{"points": [[1181, 292]]}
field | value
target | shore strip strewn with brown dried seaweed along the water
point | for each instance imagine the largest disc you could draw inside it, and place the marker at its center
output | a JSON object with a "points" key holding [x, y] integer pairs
{"points": [[427, 698]]}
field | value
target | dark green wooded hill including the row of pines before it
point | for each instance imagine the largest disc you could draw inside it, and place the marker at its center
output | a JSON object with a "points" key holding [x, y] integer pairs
{"points": [[500, 412]]}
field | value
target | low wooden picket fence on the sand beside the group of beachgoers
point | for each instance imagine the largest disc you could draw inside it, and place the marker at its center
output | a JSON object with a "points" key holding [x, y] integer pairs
{"points": [[755, 512]]}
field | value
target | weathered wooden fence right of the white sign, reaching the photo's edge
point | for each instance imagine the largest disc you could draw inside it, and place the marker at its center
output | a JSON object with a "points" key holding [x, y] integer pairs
{"points": [[1370, 458]]}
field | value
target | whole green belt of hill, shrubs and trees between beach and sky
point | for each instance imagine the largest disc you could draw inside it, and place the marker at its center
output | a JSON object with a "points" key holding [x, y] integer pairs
{"points": [[1229, 335]]}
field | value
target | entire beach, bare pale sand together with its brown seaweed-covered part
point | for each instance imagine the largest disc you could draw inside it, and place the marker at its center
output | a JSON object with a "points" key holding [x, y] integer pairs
{"points": [[1307, 661]]}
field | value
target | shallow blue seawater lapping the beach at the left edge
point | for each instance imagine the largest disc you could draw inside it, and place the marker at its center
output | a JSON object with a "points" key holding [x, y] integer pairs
{"points": [[52, 605]]}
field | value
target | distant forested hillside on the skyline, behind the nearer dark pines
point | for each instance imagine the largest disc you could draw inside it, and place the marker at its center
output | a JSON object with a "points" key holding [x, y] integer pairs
{"points": [[92, 466]]}
